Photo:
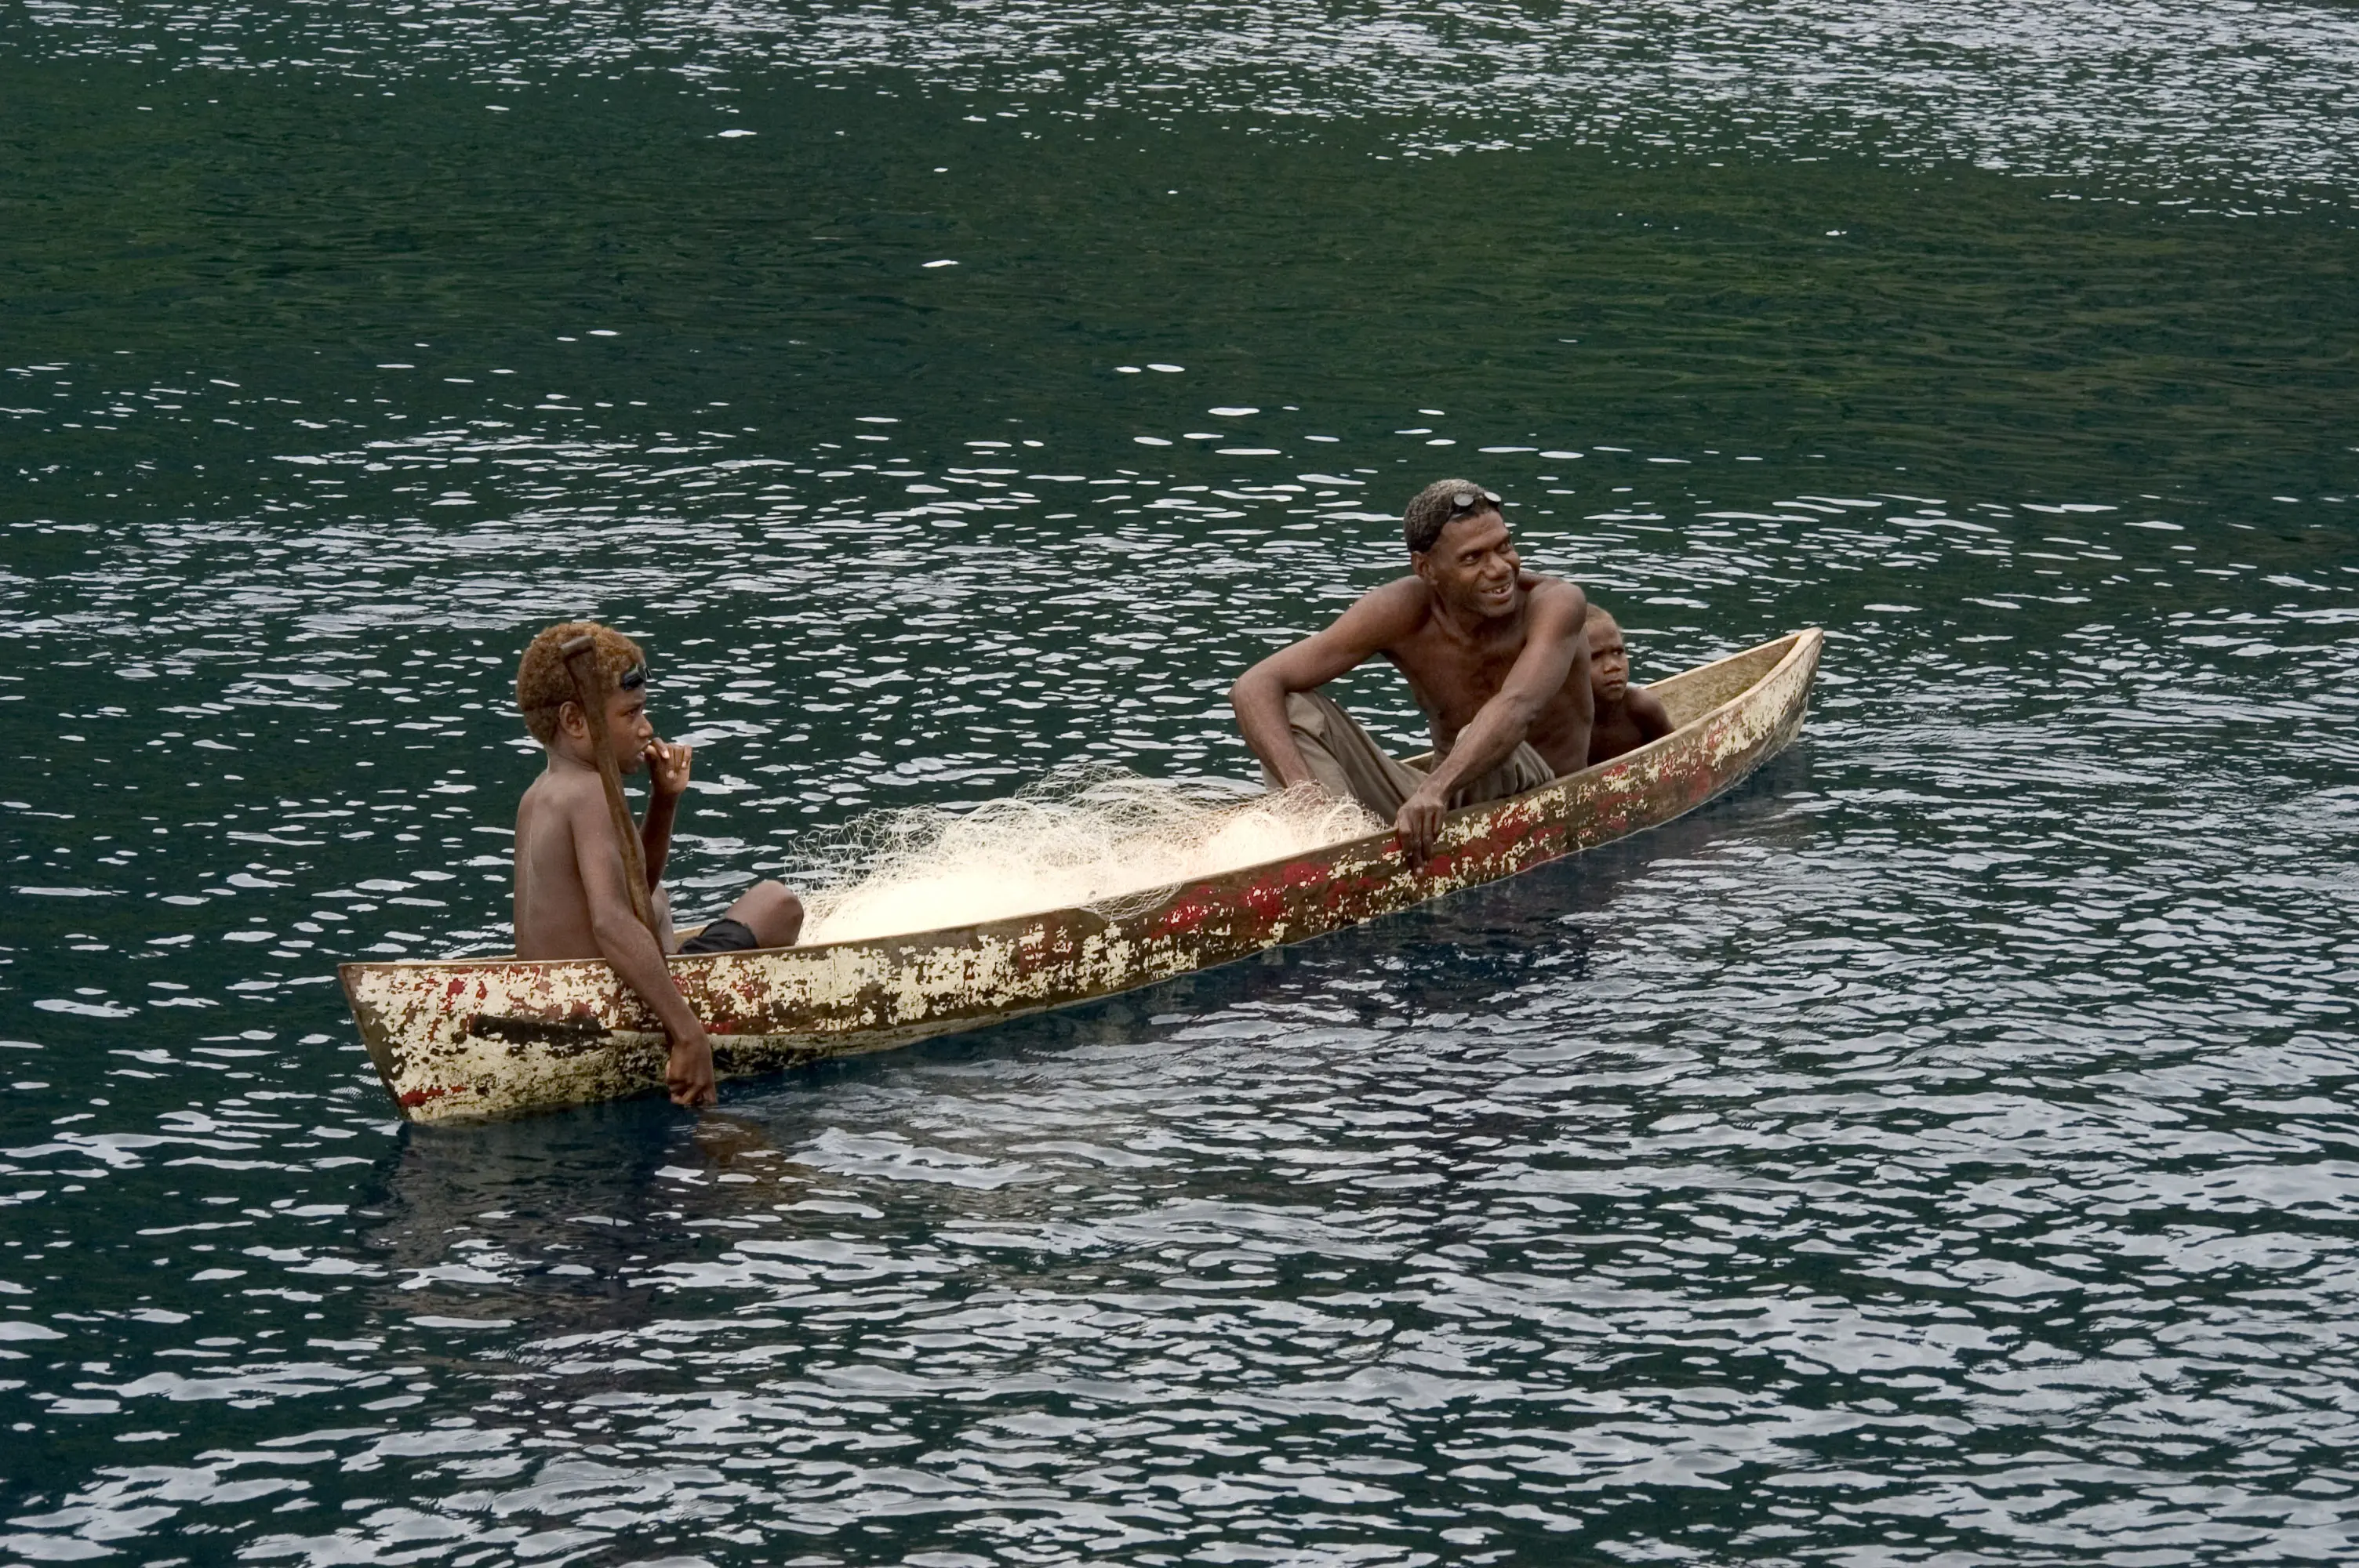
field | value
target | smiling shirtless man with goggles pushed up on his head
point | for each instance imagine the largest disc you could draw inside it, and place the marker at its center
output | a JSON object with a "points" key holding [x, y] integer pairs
{"points": [[1494, 657]]}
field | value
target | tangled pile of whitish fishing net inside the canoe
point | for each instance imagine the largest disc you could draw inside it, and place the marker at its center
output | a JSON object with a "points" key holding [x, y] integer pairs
{"points": [[1098, 838]]}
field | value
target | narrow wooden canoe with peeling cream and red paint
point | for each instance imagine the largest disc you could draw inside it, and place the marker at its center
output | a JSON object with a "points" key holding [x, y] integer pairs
{"points": [[497, 1036]]}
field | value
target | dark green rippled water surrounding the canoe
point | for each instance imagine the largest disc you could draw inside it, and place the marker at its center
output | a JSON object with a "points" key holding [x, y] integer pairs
{"points": [[1938, 1154]]}
